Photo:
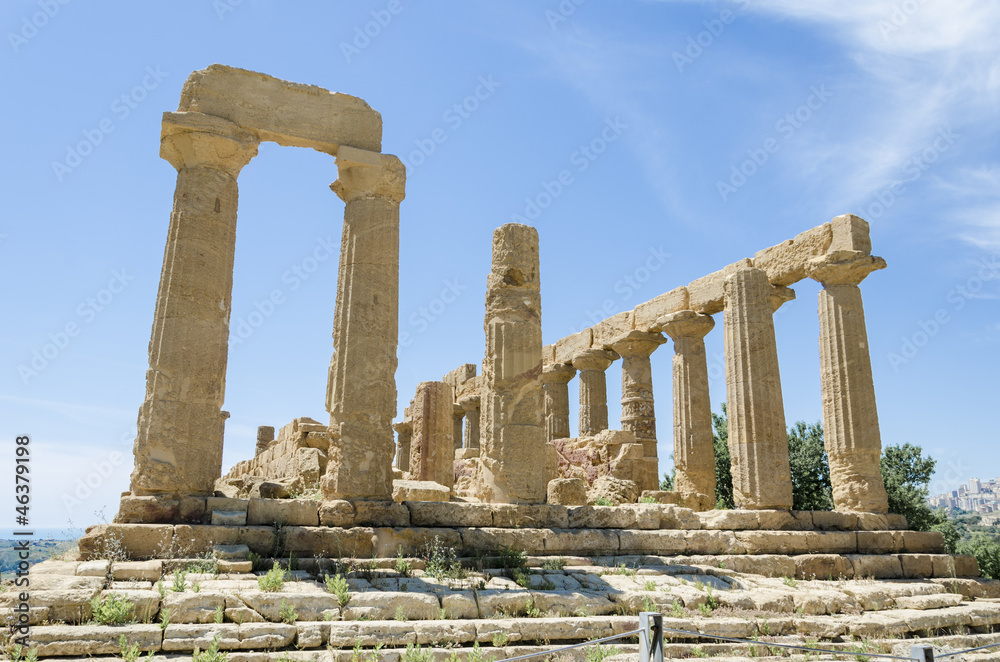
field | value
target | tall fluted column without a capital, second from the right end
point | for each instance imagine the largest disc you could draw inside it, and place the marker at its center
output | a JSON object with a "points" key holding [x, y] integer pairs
{"points": [[758, 442]]}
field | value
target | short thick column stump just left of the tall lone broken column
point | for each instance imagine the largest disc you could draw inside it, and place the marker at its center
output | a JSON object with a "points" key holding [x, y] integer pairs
{"points": [[432, 451]]}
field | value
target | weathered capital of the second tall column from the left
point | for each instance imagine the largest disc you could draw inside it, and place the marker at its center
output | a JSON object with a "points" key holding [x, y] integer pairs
{"points": [[362, 174]]}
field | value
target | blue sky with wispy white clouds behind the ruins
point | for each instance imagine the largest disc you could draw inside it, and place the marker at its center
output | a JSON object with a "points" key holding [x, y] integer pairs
{"points": [[625, 123]]}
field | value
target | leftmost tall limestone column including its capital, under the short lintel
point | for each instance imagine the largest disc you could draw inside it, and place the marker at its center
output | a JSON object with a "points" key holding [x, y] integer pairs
{"points": [[178, 448]]}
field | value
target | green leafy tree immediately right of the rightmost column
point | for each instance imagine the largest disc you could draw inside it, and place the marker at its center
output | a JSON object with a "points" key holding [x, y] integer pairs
{"points": [[906, 473]]}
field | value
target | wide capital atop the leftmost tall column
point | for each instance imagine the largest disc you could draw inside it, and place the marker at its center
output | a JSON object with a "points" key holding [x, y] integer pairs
{"points": [[188, 140]]}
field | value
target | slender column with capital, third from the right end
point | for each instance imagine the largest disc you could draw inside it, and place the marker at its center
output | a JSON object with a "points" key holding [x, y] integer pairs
{"points": [[694, 450]]}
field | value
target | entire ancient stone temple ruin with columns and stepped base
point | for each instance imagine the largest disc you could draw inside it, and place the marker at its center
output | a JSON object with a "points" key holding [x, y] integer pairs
{"points": [[481, 520]]}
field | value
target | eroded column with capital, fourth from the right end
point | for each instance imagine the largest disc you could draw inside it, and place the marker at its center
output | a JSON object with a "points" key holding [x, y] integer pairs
{"points": [[638, 411]]}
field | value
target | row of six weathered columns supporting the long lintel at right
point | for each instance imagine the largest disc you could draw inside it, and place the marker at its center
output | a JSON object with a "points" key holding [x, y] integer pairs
{"points": [[757, 434]]}
